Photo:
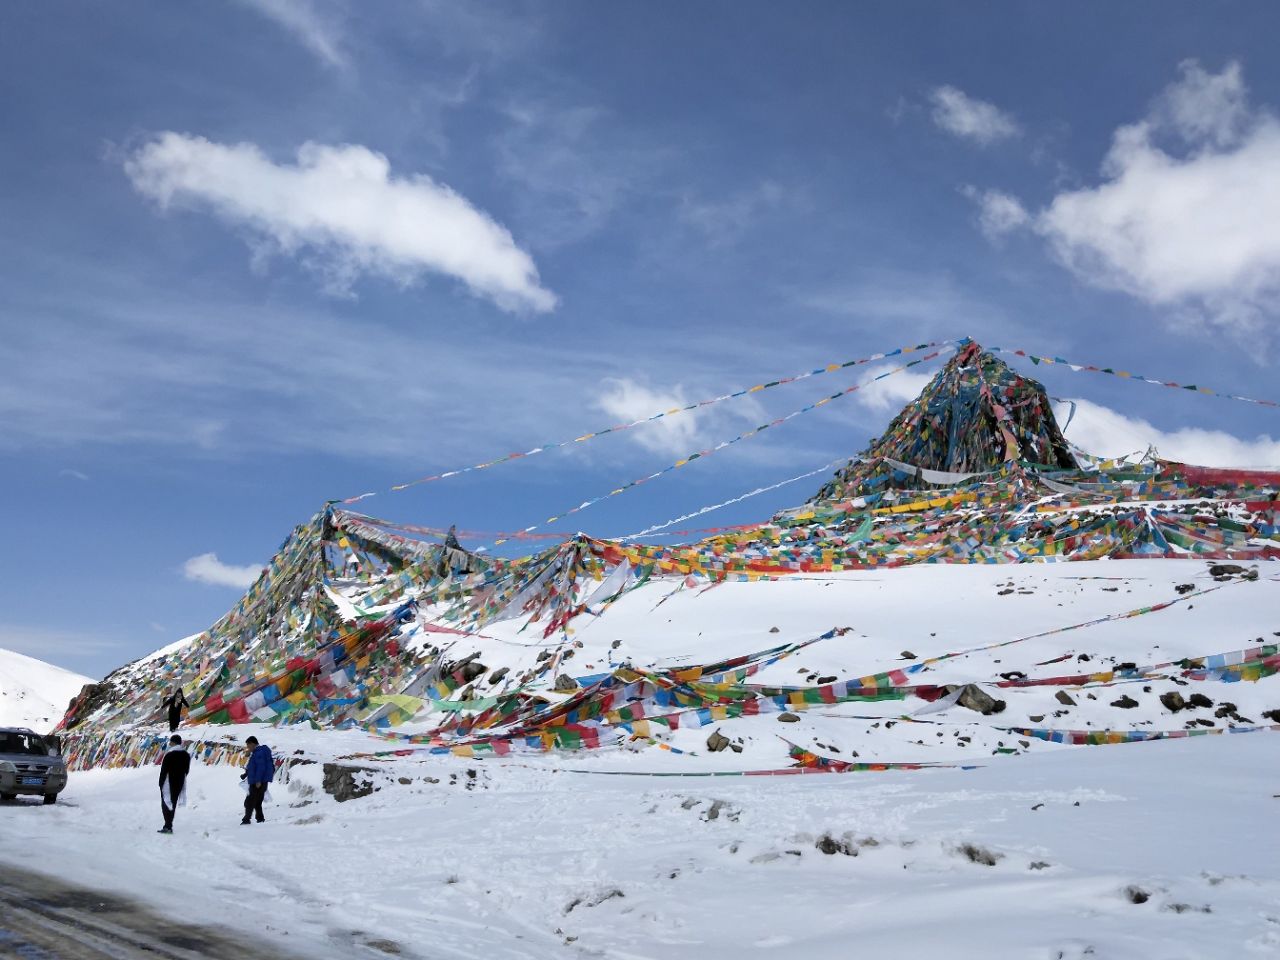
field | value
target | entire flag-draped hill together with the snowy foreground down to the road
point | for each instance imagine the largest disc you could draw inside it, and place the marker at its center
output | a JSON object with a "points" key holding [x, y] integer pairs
{"points": [[1039, 693]]}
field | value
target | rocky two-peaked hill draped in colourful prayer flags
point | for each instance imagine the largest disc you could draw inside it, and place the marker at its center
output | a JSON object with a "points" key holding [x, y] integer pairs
{"points": [[363, 623]]}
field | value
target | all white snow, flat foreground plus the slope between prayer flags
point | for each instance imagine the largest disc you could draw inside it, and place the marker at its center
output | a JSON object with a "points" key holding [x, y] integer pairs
{"points": [[1156, 851]]}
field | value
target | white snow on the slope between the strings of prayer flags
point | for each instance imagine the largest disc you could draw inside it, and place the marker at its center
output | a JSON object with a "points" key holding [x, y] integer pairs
{"points": [[900, 618]]}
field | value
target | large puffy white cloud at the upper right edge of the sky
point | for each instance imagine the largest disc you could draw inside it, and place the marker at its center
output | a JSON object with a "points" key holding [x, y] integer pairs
{"points": [[1186, 214]]}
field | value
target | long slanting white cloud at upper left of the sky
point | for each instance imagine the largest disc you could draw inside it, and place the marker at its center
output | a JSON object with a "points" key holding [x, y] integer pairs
{"points": [[341, 208]]}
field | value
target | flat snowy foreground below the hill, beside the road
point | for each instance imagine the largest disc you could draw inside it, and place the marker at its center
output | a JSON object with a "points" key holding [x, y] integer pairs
{"points": [[531, 863]]}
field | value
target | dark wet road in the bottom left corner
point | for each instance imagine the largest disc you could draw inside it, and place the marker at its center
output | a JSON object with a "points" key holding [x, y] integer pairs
{"points": [[43, 918]]}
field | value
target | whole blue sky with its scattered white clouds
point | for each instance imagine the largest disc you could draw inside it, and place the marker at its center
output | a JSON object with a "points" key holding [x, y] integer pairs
{"points": [[262, 254]]}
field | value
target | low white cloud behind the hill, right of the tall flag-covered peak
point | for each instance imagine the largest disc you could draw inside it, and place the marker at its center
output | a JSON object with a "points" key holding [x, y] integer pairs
{"points": [[1105, 433]]}
